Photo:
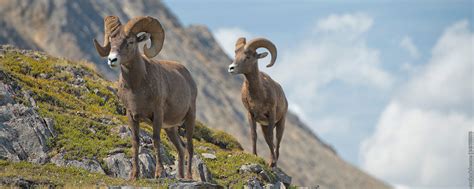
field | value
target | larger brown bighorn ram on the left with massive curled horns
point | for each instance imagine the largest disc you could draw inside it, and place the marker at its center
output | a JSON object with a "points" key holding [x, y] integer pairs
{"points": [[162, 93]]}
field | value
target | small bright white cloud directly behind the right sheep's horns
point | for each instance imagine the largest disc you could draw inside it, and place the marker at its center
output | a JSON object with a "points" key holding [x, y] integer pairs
{"points": [[228, 36]]}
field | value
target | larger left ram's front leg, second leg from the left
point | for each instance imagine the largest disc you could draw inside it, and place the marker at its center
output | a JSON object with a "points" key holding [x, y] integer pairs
{"points": [[157, 123]]}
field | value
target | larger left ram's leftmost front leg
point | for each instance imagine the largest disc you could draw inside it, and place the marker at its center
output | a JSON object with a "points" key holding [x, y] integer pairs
{"points": [[133, 124]]}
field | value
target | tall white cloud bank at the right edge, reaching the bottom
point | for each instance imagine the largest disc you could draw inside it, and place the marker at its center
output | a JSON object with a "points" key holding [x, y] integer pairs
{"points": [[421, 136]]}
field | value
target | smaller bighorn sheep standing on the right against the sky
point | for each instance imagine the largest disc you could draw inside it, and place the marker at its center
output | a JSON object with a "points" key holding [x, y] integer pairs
{"points": [[263, 98]]}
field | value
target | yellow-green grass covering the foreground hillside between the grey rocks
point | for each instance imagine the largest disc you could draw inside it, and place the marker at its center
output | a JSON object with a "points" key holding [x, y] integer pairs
{"points": [[85, 110]]}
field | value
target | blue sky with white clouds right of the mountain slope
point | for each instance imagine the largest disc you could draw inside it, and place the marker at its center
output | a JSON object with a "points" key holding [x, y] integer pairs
{"points": [[371, 78]]}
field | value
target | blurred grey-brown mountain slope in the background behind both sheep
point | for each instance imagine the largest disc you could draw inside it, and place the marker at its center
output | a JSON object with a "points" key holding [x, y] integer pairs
{"points": [[65, 28]]}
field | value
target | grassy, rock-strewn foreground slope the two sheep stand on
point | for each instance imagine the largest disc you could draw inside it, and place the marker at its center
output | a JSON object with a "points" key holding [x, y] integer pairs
{"points": [[59, 113]]}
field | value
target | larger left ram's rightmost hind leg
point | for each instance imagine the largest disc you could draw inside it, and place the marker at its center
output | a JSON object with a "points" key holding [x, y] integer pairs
{"points": [[189, 124]]}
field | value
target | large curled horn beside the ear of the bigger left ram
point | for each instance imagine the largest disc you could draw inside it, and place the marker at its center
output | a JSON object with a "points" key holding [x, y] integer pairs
{"points": [[149, 25]]}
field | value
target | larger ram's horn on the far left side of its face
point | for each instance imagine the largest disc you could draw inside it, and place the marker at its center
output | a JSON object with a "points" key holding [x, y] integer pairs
{"points": [[111, 24]]}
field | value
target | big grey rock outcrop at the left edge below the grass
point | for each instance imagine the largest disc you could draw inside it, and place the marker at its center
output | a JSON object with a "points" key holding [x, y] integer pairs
{"points": [[23, 133]]}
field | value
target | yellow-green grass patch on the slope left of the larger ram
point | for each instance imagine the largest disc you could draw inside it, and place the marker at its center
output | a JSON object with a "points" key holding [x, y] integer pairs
{"points": [[75, 109]]}
